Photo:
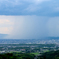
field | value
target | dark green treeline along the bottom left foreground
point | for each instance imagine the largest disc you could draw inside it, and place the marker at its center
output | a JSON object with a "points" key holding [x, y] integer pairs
{"points": [[16, 56]]}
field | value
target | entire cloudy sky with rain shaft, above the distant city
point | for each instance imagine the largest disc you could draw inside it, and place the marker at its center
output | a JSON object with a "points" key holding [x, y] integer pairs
{"points": [[29, 19]]}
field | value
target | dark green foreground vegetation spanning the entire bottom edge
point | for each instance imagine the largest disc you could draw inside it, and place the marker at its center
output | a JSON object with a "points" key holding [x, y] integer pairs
{"points": [[47, 55]]}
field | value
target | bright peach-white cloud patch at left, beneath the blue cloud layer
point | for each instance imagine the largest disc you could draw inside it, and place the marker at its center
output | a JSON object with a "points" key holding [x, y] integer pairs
{"points": [[6, 25]]}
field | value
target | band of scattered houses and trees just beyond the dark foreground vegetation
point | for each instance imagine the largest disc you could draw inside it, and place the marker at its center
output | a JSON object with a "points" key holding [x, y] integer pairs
{"points": [[26, 49]]}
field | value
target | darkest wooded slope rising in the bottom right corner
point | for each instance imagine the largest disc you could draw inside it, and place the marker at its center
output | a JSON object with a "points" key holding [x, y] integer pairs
{"points": [[50, 55]]}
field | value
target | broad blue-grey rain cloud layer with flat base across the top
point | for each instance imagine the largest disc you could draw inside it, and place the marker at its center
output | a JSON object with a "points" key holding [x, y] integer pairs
{"points": [[29, 7]]}
